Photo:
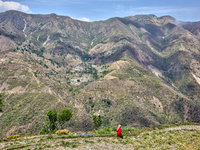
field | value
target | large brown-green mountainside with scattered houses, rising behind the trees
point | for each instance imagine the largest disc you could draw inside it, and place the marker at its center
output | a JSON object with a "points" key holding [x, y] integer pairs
{"points": [[137, 71]]}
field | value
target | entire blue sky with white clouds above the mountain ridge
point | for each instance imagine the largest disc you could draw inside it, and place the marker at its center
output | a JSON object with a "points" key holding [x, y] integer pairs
{"points": [[95, 10]]}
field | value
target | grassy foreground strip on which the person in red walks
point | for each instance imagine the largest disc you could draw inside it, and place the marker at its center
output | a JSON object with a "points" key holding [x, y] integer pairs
{"points": [[159, 139]]}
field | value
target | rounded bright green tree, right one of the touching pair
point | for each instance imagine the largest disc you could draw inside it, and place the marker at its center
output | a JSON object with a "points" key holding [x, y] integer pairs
{"points": [[63, 116]]}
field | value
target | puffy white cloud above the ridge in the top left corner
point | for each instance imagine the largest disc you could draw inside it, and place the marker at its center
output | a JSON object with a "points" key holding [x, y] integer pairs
{"points": [[10, 5]]}
